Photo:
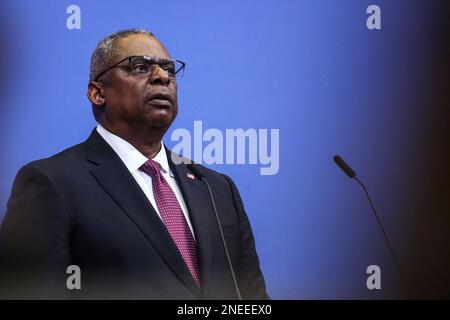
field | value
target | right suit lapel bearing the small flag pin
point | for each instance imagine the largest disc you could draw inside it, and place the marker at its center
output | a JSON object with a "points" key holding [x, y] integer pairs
{"points": [[197, 200]]}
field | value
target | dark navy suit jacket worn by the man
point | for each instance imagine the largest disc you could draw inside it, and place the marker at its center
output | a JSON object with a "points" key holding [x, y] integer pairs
{"points": [[83, 207]]}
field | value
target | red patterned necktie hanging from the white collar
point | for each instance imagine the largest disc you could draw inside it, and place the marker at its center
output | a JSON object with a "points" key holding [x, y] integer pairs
{"points": [[173, 218]]}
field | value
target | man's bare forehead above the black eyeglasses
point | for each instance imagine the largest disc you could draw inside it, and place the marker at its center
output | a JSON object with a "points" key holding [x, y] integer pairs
{"points": [[141, 45]]}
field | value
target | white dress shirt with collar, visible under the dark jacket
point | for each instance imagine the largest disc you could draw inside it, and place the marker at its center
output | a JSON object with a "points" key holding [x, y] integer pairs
{"points": [[133, 160]]}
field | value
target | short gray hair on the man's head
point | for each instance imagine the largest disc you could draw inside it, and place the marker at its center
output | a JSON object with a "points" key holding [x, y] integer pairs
{"points": [[106, 50]]}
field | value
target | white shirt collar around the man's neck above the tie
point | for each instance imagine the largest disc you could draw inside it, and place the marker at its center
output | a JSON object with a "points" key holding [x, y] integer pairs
{"points": [[132, 157]]}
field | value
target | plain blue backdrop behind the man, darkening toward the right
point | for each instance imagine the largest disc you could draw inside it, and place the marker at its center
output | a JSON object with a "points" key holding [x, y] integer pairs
{"points": [[309, 68]]}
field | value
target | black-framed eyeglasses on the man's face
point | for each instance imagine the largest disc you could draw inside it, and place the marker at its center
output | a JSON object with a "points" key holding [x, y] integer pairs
{"points": [[145, 66]]}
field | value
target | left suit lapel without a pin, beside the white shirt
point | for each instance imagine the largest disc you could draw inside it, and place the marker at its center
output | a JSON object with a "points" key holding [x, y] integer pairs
{"points": [[112, 174]]}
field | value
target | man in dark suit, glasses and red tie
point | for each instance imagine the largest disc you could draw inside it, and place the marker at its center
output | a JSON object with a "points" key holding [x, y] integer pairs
{"points": [[120, 206]]}
